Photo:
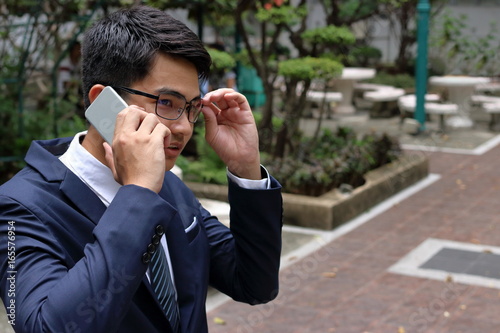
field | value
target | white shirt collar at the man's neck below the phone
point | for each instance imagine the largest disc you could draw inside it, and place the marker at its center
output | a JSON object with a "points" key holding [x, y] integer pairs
{"points": [[97, 176]]}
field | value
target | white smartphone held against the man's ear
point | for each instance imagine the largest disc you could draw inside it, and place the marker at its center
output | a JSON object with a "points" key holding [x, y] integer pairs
{"points": [[102, 112]]}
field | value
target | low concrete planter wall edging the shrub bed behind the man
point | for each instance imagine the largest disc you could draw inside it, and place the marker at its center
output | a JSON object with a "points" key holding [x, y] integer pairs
{"points": [[334, 208]]}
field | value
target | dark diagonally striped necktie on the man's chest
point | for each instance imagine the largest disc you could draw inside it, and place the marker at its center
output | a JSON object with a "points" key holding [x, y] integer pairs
{"points": [[164, 287]]}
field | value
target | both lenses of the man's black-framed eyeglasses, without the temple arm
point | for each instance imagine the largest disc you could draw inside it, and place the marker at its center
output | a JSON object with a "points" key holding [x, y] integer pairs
{"points": [[170, 106]]}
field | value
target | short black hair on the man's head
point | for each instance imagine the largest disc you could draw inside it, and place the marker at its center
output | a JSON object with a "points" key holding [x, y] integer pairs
{"points": [[120, 48]]}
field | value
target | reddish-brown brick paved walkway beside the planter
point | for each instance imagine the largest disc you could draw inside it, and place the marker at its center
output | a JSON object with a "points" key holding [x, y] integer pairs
{"points": [[346, 287]]}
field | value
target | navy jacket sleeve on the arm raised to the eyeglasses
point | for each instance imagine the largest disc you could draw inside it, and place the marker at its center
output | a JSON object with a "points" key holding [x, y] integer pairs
{"points": [[245, 261]]}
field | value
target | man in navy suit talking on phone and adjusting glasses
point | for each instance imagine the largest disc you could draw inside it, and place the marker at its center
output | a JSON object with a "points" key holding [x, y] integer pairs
{"points": [[81, 223]]}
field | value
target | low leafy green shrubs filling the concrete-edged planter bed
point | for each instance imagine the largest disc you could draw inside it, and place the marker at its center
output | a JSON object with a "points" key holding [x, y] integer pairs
{"points": [[333, 160]]}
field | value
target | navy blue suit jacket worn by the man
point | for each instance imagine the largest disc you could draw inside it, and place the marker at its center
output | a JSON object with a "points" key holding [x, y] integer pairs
{"points": [[78, 266]]}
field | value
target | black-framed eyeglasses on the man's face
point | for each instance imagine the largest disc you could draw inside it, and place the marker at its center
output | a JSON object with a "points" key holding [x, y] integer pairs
{"points": [[170, 104]]}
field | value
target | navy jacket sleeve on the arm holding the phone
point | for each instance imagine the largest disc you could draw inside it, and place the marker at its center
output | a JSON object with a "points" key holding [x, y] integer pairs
{"points": [[49, 295]]}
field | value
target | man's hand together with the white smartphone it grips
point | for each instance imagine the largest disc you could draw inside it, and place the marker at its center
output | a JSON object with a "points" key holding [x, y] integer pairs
{"points": [[138, 139]]}
